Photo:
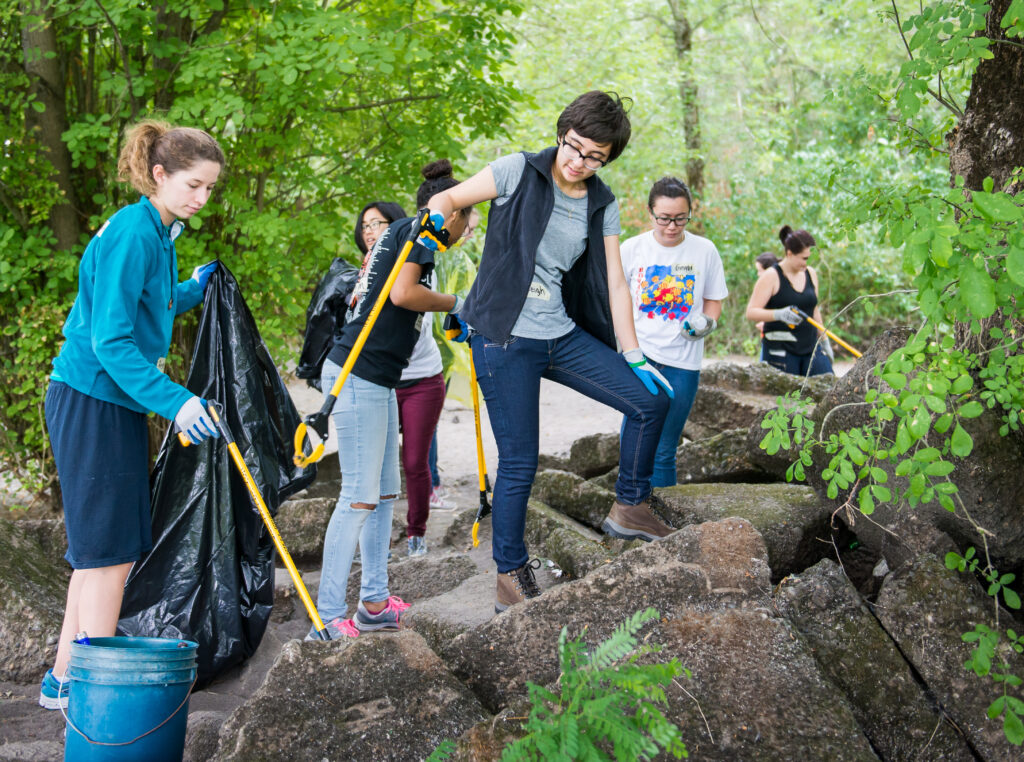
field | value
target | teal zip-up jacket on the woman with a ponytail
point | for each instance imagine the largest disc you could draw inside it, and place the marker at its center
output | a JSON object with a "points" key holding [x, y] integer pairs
{"points": [[120, 325]]}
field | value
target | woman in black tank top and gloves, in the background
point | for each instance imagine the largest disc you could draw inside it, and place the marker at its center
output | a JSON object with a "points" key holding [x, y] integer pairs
{"points": [[790, 344]]}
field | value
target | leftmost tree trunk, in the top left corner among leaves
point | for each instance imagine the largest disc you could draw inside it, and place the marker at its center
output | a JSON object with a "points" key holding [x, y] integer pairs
{"points": [[39, 46]]}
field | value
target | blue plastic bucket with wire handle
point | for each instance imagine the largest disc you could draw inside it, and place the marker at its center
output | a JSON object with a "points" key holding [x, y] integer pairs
{"points": [[130, 700]]}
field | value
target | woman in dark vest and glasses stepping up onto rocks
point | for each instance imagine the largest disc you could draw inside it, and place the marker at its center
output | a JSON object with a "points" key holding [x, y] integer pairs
{"points": [[550, 302]]}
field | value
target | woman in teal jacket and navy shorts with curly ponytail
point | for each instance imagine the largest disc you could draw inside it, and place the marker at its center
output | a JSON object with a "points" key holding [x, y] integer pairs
{"points": [[109, 375]]}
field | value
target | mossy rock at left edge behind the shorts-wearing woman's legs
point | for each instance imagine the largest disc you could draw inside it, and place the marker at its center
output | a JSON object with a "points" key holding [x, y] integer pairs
{"points": [[32, 599]]}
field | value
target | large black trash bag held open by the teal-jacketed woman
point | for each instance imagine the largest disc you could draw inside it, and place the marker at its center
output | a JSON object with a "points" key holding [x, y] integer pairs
{"points": [[209, 577]]}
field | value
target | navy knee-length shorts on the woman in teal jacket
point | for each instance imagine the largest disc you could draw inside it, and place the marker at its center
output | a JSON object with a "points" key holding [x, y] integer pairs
{"points": [[102, 453]]}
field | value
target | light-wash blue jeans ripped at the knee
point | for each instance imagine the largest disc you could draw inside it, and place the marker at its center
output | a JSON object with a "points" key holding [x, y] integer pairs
{"points": [[366, 418]]}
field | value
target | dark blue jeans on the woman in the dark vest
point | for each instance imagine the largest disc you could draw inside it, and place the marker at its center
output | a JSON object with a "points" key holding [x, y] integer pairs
{"points": [[510, 376]]}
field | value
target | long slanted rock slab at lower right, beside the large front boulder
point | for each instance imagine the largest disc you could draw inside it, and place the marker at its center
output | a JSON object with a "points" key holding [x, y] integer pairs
{"points": [[858, 656]]}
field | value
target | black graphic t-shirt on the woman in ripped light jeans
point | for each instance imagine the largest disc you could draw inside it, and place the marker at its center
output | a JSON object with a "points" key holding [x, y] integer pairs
{"points": [[395, 334]]}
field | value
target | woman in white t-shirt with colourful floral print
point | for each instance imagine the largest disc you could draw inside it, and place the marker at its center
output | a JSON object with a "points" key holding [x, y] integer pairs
{"points": [[677, 283]]}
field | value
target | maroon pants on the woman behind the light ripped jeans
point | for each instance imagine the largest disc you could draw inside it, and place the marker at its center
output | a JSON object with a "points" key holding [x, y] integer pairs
{"points": [[419, 409]]}
